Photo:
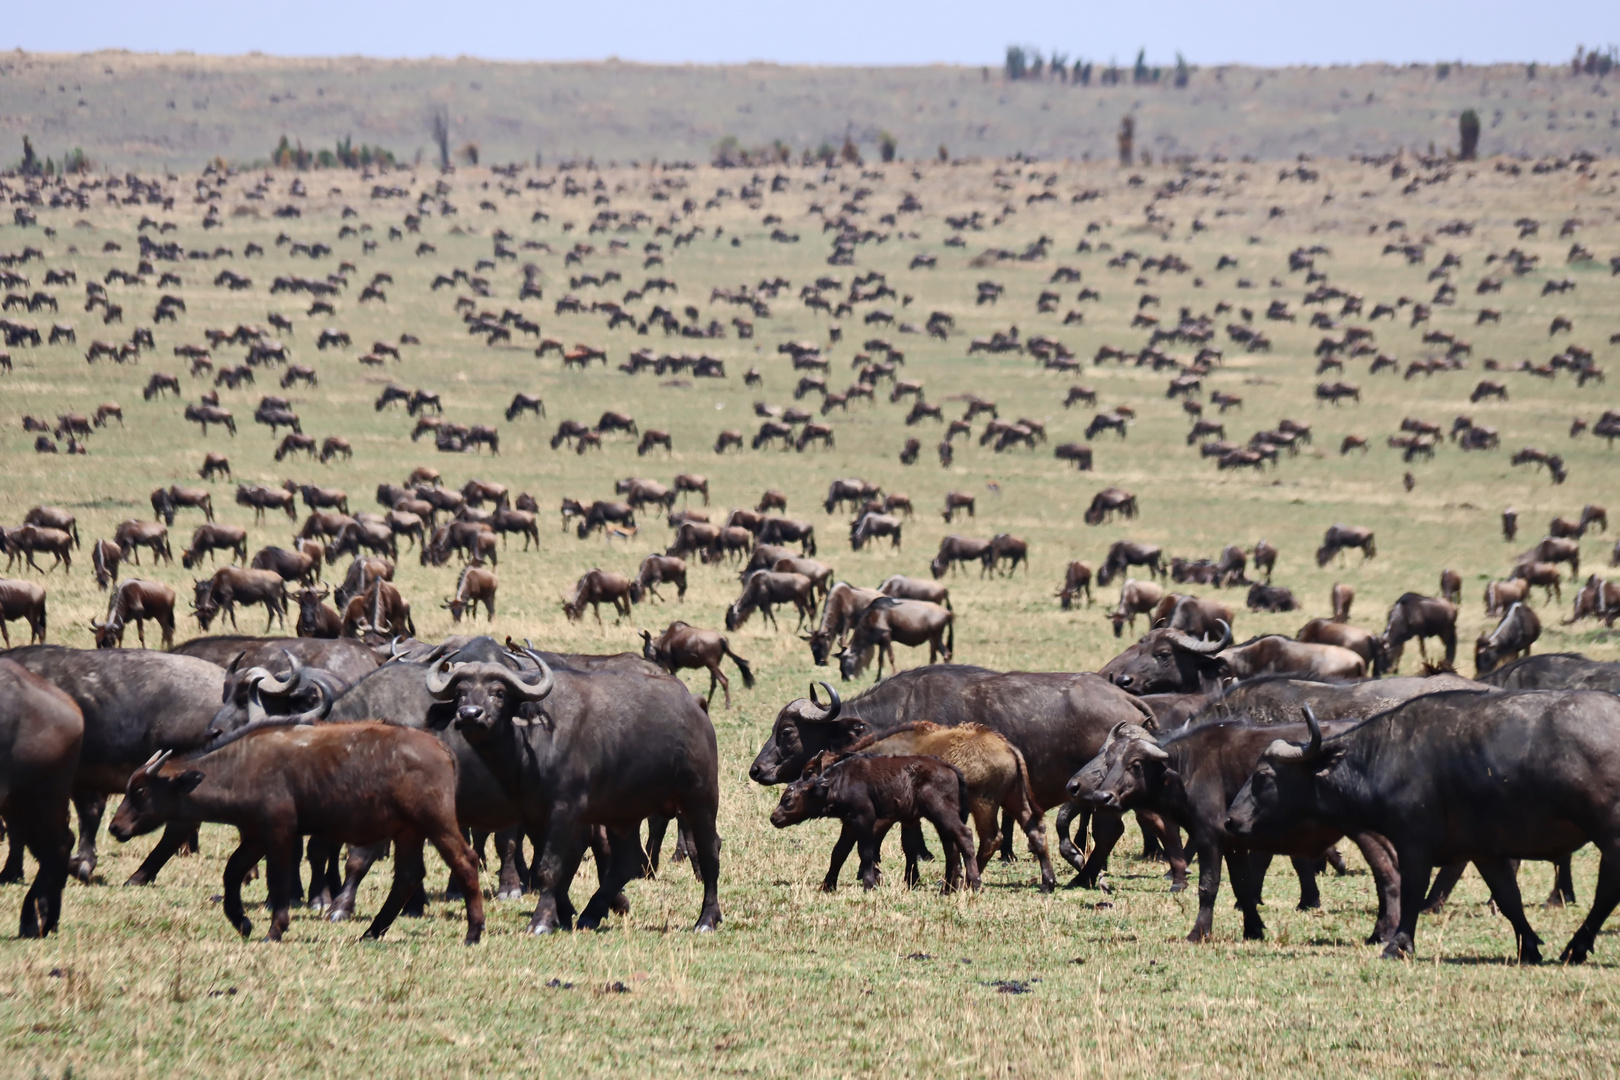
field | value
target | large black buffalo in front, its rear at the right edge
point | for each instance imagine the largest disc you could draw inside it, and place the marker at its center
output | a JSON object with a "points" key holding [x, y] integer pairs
{"points": [[1451, 778]]}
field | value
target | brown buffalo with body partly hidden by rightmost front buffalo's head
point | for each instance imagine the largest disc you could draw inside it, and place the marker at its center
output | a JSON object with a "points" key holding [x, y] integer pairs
{"points": [[1190, 778]]}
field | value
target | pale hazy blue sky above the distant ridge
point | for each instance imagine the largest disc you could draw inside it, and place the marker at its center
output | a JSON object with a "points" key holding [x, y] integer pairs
{"points": [[829, 32]]}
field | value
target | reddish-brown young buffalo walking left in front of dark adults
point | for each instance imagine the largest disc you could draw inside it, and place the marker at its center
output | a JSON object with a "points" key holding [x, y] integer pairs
{"points": [[344, 783]]}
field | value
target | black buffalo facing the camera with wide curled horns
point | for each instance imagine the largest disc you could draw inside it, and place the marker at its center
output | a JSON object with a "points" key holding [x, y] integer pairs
{"points": [[620, 747]]}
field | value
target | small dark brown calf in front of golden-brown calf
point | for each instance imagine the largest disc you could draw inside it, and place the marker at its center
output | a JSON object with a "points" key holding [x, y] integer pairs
{"points": [[871, 796]]}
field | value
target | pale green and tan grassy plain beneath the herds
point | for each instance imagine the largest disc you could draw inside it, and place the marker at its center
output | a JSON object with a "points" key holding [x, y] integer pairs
{"points": [[798, 982]]}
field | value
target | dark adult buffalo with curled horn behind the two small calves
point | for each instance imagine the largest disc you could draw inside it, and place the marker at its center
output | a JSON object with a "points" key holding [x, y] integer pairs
{"points": [[1057, 721]]}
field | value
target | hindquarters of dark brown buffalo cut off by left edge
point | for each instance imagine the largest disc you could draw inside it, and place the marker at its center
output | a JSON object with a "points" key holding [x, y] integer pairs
{"points": [[41, 733]]}
